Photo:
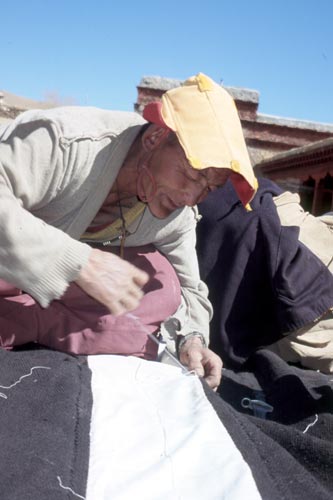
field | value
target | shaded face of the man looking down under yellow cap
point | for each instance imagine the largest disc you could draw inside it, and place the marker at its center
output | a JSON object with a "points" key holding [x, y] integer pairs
{"points": [[177, 184]]}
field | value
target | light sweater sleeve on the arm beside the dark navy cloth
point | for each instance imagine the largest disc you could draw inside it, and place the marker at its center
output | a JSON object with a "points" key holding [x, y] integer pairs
{"points": [[180, 248]]}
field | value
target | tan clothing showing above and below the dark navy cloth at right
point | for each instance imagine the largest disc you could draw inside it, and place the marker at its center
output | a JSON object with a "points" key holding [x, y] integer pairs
{"points": [[311, 346]]}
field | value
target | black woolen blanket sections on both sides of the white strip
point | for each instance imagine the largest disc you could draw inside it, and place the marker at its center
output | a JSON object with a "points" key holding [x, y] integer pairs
{"points": [[46, 405]]}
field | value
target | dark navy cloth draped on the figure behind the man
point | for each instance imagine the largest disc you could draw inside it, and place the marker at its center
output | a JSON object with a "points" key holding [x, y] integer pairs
{"points": [[262, 281]]}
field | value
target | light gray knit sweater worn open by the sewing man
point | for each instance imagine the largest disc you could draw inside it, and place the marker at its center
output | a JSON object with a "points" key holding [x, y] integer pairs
{"points": [[56, 169]]}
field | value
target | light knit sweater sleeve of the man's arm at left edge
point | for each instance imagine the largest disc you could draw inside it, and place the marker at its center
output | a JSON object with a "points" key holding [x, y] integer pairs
{"points": [[34, 255]]}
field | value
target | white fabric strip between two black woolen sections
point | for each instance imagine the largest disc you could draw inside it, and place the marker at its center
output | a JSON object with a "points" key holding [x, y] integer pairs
{"points": [[154, 435]]}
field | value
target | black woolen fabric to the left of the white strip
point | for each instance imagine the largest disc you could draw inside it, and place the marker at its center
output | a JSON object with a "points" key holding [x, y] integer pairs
{"points": [[46, 402]]}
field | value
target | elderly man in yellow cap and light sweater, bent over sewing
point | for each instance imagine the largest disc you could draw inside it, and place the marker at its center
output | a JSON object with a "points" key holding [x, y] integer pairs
{"points": [[84, 191]]}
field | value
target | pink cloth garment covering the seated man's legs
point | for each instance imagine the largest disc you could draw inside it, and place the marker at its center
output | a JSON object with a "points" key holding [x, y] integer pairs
{"points": [[78, 324]]}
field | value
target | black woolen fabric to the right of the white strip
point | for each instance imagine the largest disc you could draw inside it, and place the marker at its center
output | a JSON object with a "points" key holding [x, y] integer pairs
{"points": [[290, 452]]}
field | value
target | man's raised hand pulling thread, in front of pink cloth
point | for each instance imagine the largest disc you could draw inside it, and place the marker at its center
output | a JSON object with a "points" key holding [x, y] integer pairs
{"points": [[112, 281]]}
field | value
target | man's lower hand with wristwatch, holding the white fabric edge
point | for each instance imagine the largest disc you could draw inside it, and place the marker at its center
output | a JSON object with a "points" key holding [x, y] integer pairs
{"points": [[202, 360]]}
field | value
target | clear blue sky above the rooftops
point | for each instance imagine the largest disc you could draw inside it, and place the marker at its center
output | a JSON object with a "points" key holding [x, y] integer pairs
{"points": [[95, 53]]}
